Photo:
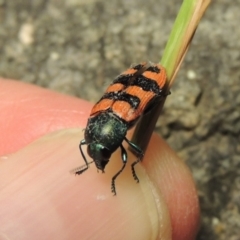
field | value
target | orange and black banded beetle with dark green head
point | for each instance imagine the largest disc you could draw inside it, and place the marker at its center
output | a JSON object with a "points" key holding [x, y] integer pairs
{"points": [[132, 94]]}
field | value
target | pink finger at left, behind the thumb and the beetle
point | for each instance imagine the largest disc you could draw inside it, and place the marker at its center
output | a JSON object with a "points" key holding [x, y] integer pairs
{"points": [[27, 112]]}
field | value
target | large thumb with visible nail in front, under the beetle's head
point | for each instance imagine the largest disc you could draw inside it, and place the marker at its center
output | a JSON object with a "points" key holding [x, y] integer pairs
{"points": [[61, 205]]}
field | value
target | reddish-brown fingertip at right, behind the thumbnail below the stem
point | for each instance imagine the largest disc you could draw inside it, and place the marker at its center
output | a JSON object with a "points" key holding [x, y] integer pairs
{"points": [[176, 183]]}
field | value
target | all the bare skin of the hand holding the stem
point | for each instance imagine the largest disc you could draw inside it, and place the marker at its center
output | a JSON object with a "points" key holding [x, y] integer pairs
{"points": [[40, 199]]}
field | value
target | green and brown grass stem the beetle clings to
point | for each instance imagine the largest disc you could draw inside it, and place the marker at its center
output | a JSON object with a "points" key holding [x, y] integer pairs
{"points": [[181, 35]]}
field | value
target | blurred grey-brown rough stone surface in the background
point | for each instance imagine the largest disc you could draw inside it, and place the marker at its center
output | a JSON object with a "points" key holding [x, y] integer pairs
{"points": [[78, 46]]}
